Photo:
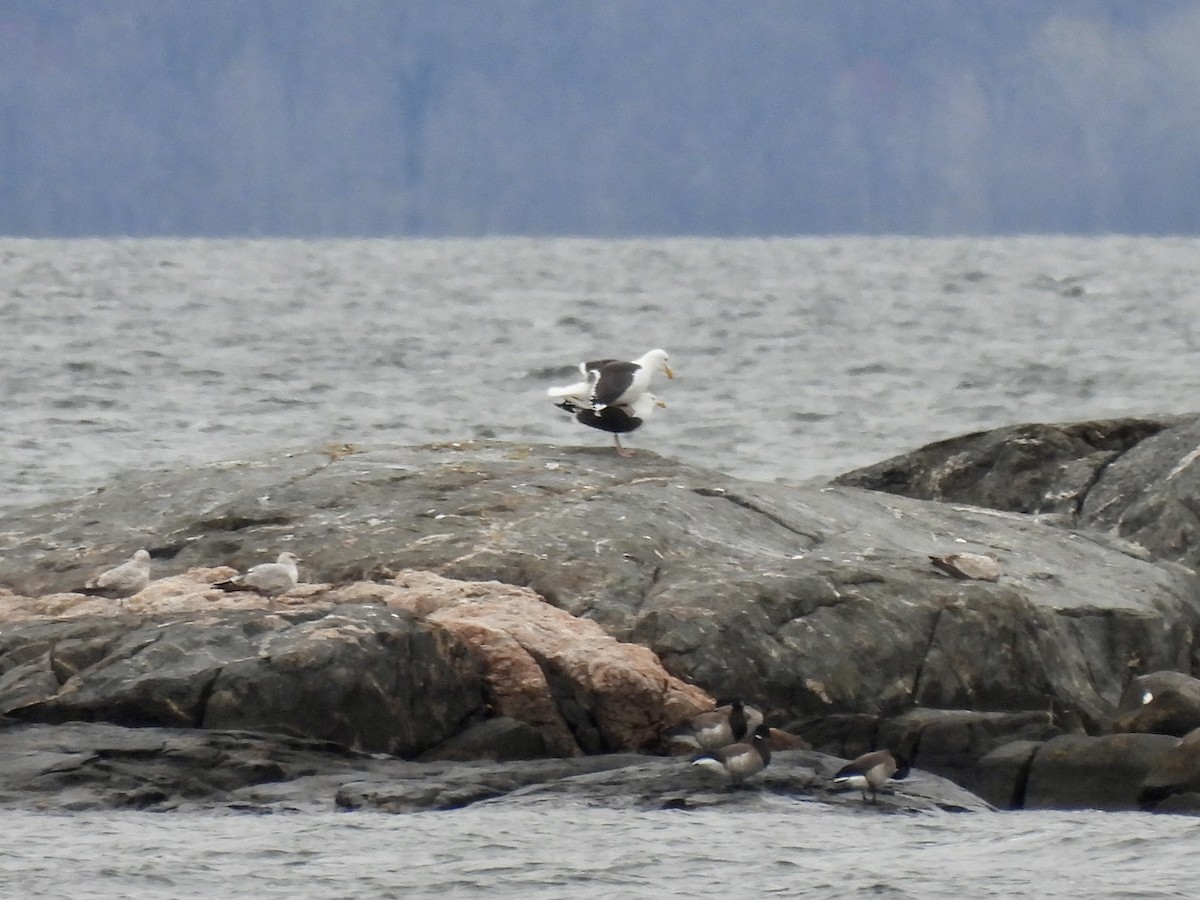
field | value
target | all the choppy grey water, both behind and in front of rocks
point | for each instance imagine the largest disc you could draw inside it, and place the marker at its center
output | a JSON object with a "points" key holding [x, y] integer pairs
{"points": [[796, 359]]}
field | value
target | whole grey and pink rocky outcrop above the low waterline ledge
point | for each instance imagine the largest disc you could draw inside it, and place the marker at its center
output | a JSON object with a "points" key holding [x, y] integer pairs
{"points": [[553, 581]]}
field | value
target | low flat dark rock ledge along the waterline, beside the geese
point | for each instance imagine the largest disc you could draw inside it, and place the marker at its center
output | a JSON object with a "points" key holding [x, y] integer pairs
{"points": [[97, 766]]}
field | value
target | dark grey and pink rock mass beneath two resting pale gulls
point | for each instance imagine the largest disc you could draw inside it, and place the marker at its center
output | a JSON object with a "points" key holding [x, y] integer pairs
{"points": [[399, 669]]}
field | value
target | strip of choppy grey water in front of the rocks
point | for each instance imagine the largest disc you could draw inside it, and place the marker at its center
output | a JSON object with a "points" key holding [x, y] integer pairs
{"points": [[794, 850]]}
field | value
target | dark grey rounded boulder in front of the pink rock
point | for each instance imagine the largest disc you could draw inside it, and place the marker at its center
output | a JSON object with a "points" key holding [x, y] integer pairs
{"points": [[368, 679]]}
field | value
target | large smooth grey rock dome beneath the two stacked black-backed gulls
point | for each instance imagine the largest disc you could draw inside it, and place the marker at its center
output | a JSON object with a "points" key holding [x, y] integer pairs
{"points": [[808, 601]]}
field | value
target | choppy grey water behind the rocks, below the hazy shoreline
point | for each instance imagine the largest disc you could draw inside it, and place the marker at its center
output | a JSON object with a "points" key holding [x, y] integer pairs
{"points": [[796, 358]]}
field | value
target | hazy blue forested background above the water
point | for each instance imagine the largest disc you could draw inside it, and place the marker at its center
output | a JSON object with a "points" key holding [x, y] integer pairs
{"points": [[625, 118]]}
